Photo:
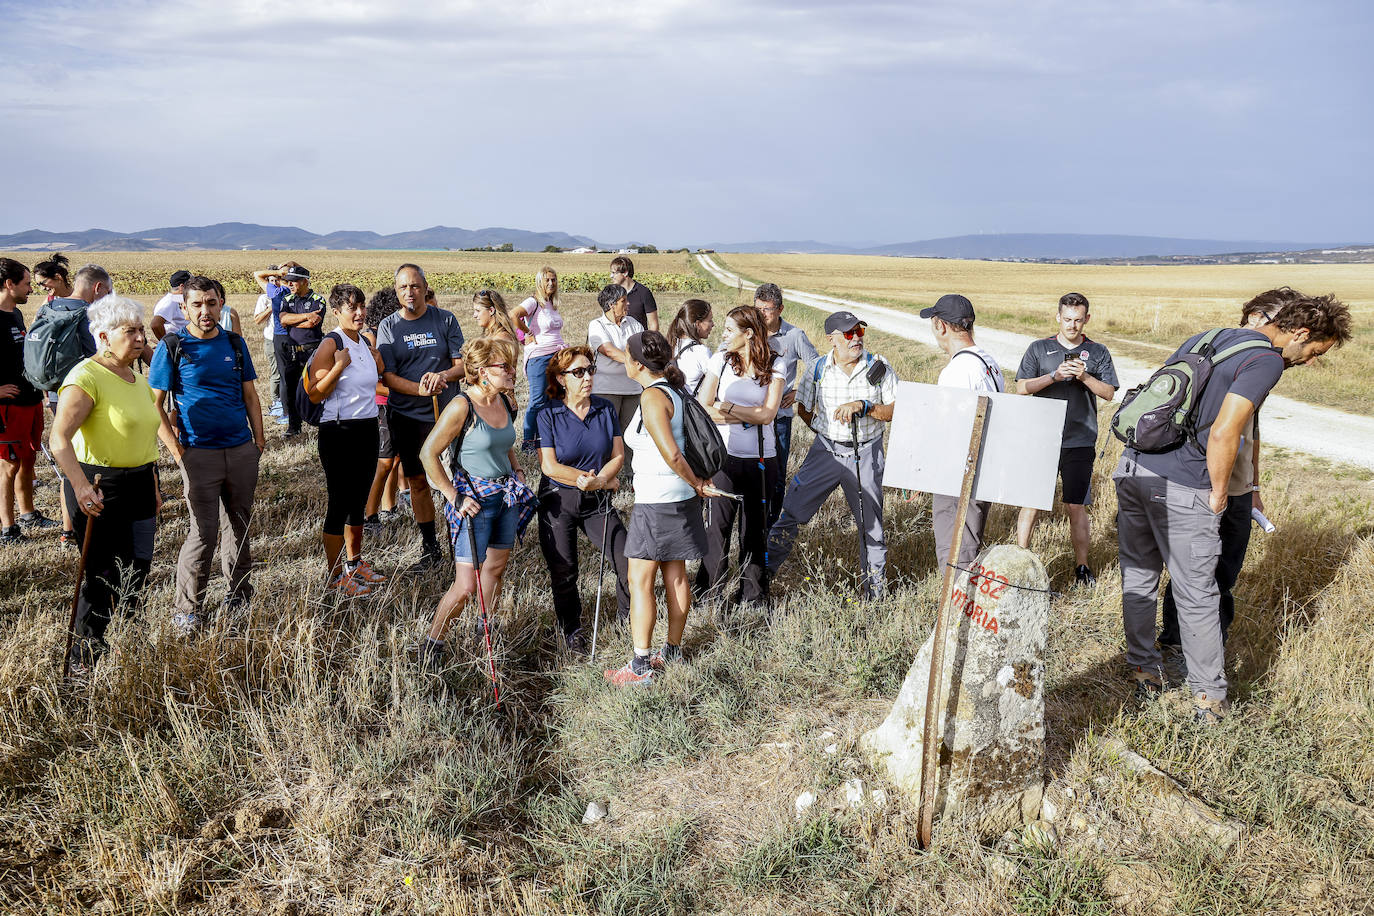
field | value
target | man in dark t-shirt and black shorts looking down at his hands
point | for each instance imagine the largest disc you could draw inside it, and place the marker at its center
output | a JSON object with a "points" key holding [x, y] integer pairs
{"points": [[1078, 371]]}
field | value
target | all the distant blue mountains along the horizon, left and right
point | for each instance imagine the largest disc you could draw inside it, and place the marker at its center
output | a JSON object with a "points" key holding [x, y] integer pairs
{"points": [[1001, 247]]}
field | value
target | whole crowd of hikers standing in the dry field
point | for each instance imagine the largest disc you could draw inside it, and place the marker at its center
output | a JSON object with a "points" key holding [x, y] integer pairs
{"points": [[398, 392]]}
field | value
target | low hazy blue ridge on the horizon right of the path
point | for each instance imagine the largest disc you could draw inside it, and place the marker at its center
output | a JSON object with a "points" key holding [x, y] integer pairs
{"points": [[1005, 247]]}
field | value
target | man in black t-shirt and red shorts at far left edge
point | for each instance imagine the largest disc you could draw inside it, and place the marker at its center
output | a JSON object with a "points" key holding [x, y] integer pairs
{"points": [[21, 411]]}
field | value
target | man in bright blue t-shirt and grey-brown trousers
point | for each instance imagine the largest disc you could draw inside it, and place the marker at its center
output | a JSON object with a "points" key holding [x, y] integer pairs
{"points": [[218, 422]]}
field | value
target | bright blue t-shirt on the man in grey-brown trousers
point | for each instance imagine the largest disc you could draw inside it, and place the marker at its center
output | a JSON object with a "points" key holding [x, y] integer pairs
{"points": [[210, 396]]}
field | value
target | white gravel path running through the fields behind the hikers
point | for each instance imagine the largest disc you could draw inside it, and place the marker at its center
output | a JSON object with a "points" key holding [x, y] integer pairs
{"points": [[1287, 424]]}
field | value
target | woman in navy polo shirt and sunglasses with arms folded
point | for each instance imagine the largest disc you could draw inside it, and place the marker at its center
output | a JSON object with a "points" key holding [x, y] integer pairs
{"points": [[581, 455]]}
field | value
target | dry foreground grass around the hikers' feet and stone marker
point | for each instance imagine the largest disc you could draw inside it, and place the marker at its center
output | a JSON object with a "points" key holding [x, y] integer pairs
{"points": [[293, 762]]}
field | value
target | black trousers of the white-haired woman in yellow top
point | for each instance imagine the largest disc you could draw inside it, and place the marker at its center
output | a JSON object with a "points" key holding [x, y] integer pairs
{"points": [[122, 545]]}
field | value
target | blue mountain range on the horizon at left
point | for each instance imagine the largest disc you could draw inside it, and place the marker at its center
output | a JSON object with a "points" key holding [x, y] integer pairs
{"points": [[251, 236]]}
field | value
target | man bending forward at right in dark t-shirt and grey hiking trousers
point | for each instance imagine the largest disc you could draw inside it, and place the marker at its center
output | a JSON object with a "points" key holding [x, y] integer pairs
{"points": [[1170, 505]]}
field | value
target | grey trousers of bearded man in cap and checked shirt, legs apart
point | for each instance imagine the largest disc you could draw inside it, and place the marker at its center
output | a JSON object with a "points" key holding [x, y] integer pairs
{"points": [[831, 465]]}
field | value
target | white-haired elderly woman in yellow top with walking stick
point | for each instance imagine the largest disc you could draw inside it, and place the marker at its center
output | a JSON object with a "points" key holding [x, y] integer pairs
{"points": [[108, 428]]}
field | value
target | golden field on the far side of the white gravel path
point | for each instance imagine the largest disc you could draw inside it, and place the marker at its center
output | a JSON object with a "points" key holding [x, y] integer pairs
{"points": [[1138, 311]]}
